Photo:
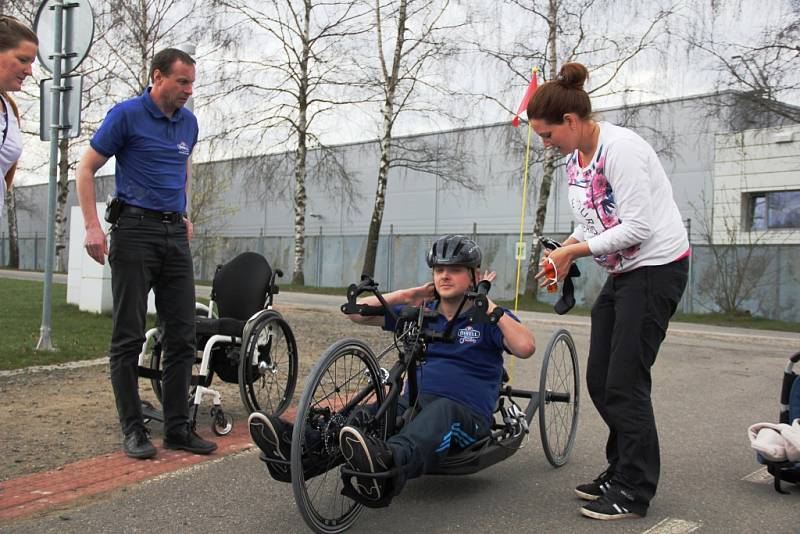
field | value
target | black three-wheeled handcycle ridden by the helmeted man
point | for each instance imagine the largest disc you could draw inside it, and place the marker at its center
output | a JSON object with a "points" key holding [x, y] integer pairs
{"points": [[348, 386]]}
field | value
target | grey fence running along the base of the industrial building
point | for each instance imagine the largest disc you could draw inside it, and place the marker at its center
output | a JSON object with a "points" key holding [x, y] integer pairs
{"points": [[336, 261]]}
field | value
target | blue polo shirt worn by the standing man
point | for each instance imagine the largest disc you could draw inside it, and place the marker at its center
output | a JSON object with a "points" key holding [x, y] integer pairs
{"points": [[151, 152]]}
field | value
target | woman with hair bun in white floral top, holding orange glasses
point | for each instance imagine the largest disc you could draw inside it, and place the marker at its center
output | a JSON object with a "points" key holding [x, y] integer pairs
{"points": [[628, 221]]}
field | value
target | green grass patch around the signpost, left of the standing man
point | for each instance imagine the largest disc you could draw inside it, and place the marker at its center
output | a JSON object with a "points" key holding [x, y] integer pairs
{"points": [[75, 334]]}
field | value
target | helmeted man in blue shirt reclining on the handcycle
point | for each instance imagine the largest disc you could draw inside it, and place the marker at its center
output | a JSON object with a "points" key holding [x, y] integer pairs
{"points": [[458, 383]]}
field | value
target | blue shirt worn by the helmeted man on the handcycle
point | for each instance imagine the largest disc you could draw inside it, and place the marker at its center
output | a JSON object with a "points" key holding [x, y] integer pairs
{"points": [[469, 369]]}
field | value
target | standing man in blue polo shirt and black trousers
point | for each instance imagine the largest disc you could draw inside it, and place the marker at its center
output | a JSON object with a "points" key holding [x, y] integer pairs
{"points": [[152, 137]]}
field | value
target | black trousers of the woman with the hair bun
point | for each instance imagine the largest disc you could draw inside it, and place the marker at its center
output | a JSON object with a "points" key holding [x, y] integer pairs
{"points": [[629, 321]]}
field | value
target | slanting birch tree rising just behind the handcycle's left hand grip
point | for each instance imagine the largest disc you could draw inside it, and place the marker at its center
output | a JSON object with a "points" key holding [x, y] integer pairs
{"points": [[410, 37]]}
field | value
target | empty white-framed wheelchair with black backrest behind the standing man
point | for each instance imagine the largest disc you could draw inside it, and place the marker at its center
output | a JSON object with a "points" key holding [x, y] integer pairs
{"points": [[240, 338]]}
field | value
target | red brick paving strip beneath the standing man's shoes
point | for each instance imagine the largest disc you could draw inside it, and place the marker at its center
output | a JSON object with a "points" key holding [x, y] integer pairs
{"points": [[23, 496]]}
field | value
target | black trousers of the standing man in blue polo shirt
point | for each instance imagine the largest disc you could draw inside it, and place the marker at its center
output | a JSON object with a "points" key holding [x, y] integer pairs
{"points": [[148, 254]]}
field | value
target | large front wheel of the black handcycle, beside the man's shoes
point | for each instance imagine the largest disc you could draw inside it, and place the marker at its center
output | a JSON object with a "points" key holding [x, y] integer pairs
{"points": [[344, 382]]}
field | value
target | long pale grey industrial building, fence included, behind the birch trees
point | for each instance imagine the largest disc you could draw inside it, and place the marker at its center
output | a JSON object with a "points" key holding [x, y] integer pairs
{"points": [[734, 171]]}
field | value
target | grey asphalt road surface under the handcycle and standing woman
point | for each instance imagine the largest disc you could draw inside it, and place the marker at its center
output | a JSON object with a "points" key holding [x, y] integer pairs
{"points": [[709, 385]]}
